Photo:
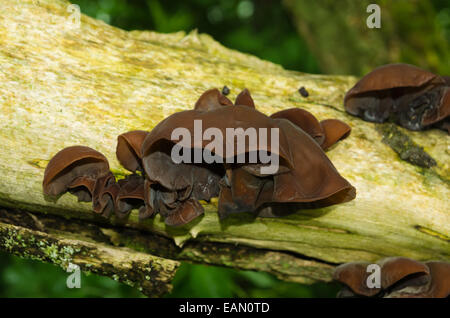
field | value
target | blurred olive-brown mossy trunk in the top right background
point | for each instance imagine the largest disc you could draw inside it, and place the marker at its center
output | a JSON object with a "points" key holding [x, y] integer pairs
{"points": [[412, 31]]}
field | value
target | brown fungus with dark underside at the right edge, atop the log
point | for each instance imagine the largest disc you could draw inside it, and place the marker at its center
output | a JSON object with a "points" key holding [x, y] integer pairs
{"points": [[405, 94]]}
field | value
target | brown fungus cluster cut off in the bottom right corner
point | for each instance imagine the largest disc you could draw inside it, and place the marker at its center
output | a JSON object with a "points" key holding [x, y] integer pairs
{"points": [[400, 277]]}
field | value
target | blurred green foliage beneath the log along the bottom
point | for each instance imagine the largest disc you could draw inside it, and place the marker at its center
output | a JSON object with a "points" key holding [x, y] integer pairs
{"points": [[27, 278]]}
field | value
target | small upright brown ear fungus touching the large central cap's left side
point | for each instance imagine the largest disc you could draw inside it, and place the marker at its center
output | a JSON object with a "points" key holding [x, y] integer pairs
{"points": [[128, 149]]}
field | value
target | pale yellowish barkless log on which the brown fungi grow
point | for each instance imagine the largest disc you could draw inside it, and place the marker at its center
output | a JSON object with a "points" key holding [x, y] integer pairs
{"points": [[61, 86]]}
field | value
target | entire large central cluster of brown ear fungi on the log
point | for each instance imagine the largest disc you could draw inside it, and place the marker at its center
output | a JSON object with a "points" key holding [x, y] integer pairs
{"points": [[305, 176]]}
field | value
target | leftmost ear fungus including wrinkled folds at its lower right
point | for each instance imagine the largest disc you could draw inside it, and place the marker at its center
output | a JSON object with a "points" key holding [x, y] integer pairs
{"points": [[83, 172]]}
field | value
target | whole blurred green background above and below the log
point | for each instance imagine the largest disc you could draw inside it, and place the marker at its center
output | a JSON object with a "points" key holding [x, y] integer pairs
{"points": [[268, 29]]}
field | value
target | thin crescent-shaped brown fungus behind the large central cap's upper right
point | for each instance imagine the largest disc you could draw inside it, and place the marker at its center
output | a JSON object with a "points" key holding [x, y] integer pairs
{"points": [[305, 120]]}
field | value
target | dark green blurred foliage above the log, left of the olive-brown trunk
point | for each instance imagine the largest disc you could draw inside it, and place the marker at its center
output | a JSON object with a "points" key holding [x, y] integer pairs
{"points": [[262, 28]]}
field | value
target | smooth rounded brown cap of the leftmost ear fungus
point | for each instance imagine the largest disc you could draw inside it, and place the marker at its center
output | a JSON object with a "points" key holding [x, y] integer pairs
{"points": [[72, 167]]}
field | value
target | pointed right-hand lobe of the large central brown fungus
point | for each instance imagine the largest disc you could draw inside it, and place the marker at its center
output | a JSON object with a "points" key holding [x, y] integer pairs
{"points": [[312, 180]]}
